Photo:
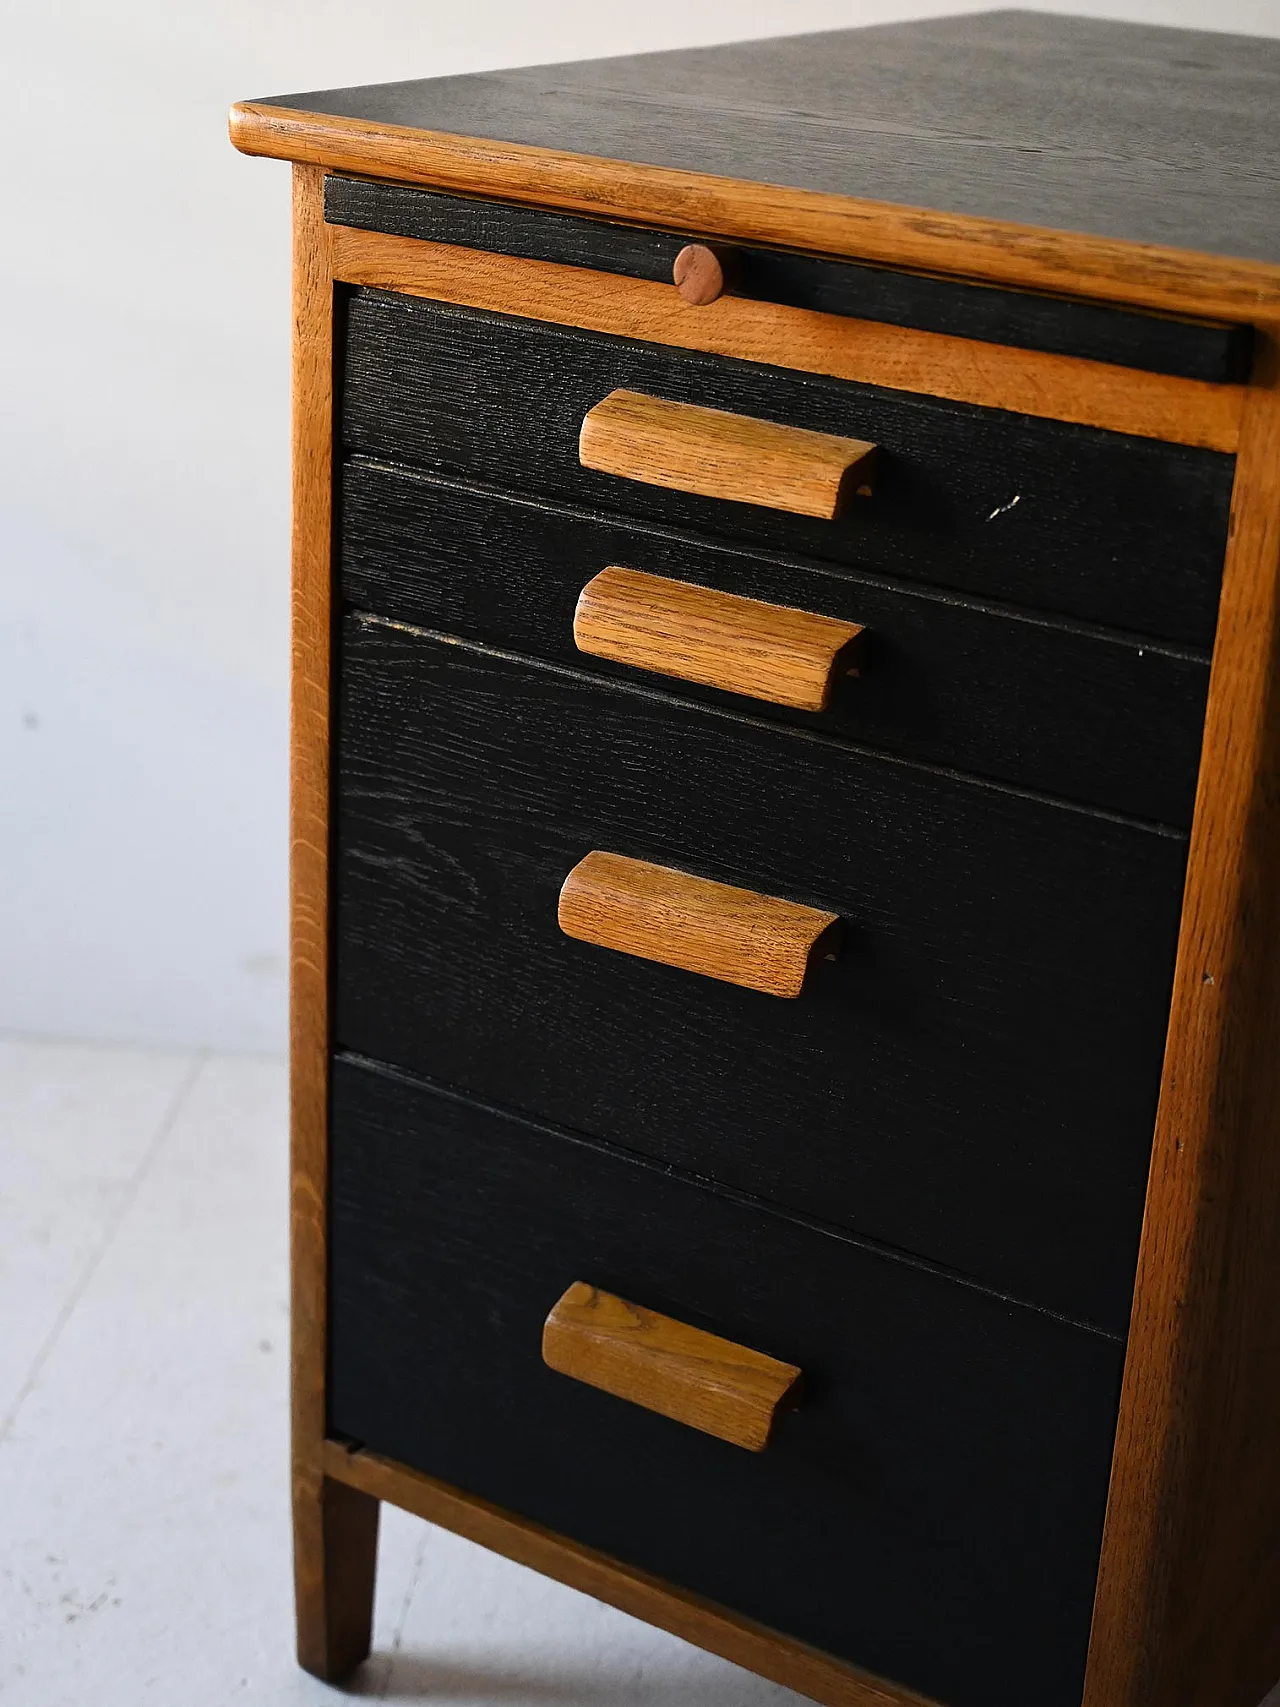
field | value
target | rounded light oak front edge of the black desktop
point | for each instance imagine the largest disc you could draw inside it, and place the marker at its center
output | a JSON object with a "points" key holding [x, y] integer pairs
{"points": [[929, 242]]}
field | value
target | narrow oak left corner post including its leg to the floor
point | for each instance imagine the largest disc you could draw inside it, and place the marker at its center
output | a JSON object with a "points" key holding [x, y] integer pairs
{"points": [[335, 1529]]}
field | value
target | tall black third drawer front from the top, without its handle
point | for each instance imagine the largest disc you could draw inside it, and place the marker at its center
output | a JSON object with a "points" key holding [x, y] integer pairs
{"points": [[974, 1080]]}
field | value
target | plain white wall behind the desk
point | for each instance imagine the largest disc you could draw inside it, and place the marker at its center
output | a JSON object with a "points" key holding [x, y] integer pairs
{"points": [[144, 487]]}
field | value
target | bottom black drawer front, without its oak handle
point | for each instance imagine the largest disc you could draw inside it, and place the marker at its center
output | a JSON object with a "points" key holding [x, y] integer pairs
{"points": [[934, 1508]]}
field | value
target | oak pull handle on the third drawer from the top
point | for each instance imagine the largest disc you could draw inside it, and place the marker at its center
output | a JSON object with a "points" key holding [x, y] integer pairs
{"points": [[716, 929]]}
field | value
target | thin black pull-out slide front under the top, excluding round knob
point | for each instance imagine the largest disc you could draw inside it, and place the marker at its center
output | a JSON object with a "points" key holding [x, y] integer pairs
{"points": [[1057, 325]]}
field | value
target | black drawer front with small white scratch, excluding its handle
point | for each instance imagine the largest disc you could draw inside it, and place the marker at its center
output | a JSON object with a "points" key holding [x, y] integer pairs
{"points": [[1091, 525]]}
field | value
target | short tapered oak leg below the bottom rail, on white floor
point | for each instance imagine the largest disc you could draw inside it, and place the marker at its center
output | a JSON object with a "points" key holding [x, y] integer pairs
{"points": [[335, 1558]]}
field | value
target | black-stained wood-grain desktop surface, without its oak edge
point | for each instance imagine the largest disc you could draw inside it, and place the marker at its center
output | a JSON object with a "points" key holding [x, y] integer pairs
{"points": [[1078, 125]]}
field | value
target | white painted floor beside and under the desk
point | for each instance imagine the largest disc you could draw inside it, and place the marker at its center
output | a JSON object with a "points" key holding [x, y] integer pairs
{"points": [[144, 1527]]}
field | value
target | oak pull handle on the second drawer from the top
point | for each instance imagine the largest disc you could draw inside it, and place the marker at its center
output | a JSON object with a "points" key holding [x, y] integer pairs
{"points": [[743, 646]]}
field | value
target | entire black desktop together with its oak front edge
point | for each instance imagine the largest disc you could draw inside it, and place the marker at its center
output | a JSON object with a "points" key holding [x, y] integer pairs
{"points": [[994, 182]]}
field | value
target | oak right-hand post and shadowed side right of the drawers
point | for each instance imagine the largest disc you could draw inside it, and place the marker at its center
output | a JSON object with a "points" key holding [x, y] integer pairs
{"points": [[1190, 1568]]}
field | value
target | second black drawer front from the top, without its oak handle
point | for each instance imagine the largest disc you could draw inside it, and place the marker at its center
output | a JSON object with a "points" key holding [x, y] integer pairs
{"points": [[943, 680]]}
